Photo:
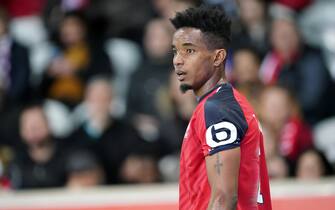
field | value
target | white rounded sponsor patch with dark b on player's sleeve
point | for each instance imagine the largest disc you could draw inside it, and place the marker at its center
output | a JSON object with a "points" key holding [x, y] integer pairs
{"points": [[222, 133]]}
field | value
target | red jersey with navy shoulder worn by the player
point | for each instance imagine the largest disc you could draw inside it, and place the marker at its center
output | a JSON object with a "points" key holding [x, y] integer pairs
{"points": [[223, 120]]}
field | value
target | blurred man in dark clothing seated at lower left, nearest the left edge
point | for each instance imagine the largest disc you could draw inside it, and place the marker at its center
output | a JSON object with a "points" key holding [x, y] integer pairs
{"points": [[41, 163]]}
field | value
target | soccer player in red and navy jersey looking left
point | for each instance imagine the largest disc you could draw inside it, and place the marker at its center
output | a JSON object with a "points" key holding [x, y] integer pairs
{"points": [[222, 158]]}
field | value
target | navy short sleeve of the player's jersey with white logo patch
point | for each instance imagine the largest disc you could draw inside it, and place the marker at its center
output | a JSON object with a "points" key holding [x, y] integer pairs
{"points": [[224, 122]]}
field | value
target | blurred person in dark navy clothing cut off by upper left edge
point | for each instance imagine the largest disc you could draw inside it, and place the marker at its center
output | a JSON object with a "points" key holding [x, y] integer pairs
{"points": [[14, 81]]}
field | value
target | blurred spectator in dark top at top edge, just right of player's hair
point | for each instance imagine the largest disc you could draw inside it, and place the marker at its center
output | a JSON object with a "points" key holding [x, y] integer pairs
{"points": [[252, 28]]}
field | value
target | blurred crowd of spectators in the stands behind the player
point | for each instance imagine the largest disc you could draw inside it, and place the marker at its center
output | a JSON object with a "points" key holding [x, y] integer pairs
{"points": [[88, 95]]}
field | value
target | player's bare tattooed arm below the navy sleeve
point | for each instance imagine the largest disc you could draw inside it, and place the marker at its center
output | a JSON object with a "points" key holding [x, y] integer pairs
{"points": [[223, 171]]}
